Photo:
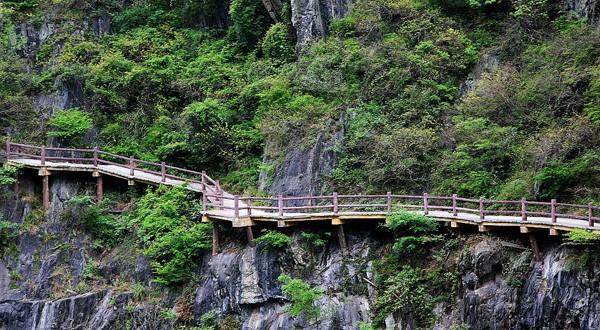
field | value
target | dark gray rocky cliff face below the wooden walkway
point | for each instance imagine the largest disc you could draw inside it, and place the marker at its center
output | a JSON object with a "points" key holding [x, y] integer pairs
{"points": [[55, 278]]}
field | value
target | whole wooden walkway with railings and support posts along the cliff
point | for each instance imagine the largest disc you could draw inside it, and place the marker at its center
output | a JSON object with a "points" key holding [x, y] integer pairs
{"points": [[246, 211]]}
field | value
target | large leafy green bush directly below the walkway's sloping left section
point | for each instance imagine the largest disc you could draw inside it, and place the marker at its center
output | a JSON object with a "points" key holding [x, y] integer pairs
{"points": [[165, 222]]}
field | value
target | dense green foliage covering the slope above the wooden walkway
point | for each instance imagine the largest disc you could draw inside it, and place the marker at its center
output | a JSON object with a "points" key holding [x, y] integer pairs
{"points": [[227, 98]]}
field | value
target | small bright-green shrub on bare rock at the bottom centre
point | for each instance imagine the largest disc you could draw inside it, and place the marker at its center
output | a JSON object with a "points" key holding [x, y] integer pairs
{"points": [[303, 297]]}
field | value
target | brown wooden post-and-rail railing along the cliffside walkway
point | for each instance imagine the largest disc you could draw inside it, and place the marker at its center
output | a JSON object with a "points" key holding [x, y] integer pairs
{"points": [[214, 198]]}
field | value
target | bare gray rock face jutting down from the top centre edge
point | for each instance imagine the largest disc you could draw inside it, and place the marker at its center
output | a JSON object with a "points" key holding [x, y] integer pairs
{"points": [[310, 18]]}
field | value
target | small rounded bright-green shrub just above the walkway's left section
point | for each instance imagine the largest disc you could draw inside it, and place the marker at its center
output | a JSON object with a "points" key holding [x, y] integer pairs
{"points": [[69, 123]]}
